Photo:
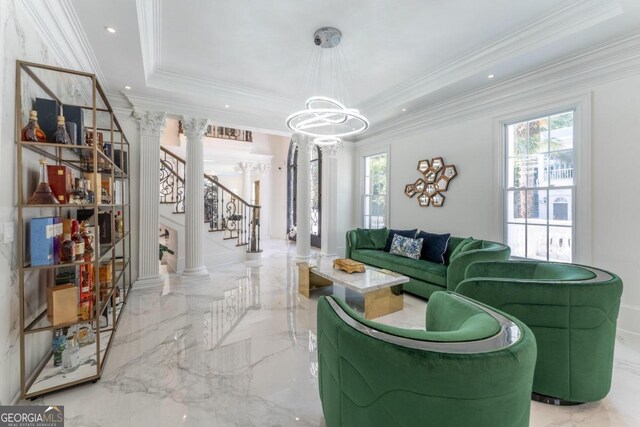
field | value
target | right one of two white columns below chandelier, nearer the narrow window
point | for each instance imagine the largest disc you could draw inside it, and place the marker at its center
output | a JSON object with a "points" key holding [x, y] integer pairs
{"points": [[329, 226]]}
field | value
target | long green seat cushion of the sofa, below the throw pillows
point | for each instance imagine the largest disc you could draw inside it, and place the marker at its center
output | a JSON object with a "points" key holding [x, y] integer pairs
{"points": [[417, 269]]}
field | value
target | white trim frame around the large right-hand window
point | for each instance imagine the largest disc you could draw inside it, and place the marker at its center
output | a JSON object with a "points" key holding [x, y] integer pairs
{"points": [[582, 185]]}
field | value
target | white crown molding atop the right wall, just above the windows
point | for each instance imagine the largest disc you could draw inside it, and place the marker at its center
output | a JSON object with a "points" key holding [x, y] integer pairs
{"points": [[608, 62]]}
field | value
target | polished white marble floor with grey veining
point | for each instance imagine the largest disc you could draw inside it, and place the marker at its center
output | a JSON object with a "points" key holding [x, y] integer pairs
{"points": [[239, 350]]}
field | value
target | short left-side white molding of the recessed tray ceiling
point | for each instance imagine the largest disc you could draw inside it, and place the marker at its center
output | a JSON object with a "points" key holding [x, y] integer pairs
{"points": [[149, 19]]}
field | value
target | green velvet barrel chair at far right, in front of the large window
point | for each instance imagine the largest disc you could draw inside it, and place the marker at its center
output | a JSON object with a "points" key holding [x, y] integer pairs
{"points": [[571, 309]]}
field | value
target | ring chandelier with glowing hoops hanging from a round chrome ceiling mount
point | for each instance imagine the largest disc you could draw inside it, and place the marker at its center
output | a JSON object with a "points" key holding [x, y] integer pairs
{"points": [[326, 119]]}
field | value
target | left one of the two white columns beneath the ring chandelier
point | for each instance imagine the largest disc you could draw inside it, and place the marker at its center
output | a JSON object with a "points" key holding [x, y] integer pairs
{"points": [[303, 199]]}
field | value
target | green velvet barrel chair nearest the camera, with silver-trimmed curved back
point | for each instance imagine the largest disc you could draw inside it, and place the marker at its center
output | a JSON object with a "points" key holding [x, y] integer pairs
{"points": [[471, 366]]}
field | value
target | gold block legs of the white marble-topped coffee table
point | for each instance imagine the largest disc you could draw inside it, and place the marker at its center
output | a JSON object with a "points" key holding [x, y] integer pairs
{"points": [[377, 303]]}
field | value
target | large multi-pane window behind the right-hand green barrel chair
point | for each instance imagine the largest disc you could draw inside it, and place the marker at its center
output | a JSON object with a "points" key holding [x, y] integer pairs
{"points": [[539, 193]]}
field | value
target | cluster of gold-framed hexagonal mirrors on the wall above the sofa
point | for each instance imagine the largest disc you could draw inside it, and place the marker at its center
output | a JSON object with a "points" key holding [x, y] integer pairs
{"points": [[435, 180]]}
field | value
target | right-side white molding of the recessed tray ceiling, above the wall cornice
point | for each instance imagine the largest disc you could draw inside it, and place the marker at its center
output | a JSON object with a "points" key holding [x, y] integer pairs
{"points": [[567, 20]]}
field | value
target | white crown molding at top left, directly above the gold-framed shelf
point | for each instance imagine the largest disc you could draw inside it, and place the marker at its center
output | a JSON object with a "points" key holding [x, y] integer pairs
{"points": [[66, 38]]}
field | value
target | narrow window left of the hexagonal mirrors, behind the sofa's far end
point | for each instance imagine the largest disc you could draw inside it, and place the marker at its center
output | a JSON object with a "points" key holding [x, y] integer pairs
{"points": [[375, 191]]}
